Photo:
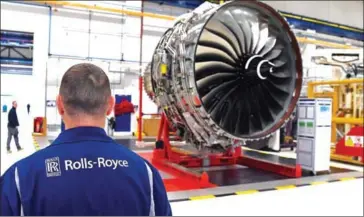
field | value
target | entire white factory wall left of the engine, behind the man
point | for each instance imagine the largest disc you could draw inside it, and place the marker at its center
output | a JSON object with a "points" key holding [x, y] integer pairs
{"points": [[111, 36]]}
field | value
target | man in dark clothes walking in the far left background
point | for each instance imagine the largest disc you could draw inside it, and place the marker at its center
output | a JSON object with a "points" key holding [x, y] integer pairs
{"points": [[13, 125]]}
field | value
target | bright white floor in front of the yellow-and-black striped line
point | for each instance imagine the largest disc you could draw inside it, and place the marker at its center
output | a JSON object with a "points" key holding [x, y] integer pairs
{"points": [[334, 199]]}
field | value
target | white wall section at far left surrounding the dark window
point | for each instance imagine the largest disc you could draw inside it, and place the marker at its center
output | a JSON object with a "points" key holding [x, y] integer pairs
{"points": [[28, 88]]}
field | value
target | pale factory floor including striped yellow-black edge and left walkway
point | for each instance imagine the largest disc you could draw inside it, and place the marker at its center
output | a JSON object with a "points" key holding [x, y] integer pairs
{"points": [[340, 193]]}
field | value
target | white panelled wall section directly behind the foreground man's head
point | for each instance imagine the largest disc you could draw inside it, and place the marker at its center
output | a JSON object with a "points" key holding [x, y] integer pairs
{"points": [[111, 36]]}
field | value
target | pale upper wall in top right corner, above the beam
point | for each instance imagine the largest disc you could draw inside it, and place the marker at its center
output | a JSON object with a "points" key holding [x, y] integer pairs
{"points": [[342, 12]]}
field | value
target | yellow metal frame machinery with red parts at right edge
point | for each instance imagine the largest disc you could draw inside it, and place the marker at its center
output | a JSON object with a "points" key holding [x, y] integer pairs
{"points": [[347, 116]]}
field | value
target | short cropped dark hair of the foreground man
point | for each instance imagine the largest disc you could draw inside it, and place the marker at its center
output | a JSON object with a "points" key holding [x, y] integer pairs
{"points": [[85, 89]]}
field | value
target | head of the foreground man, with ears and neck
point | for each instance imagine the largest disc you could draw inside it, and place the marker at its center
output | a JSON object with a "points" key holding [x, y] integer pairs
{"points": [[85, 96]]}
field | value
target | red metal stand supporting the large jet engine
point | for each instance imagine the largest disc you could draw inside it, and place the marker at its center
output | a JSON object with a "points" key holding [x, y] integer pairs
{"points": [[178, 161]]}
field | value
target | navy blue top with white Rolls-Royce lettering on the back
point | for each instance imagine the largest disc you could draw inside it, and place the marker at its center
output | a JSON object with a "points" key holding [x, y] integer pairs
{"points": [[83, 172]]}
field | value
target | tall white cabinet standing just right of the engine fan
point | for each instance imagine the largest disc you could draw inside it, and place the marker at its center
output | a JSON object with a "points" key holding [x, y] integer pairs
{"points": [[313, 132]]}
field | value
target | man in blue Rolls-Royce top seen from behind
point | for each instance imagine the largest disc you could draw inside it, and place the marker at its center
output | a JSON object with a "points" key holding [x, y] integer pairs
{"points": [[83, 172]]}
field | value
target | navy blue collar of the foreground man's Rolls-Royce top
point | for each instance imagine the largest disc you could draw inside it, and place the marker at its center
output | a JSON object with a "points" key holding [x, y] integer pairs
{"points": [[79, 134]]}
